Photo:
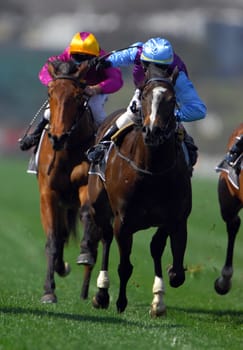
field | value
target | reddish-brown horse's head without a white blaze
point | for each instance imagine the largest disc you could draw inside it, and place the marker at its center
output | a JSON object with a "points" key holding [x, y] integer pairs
{"points": [[66, 100]]}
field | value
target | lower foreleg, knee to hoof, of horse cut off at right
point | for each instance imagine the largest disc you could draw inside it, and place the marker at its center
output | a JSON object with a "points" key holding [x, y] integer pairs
{"points": [[222, 284]]}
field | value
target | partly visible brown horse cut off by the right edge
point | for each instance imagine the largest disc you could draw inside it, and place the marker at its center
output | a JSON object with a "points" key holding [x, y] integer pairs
{"points": [[231, 202]]}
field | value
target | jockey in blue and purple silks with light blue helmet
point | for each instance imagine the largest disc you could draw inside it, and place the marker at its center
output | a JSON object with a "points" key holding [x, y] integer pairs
{"points": [[189, 108]]}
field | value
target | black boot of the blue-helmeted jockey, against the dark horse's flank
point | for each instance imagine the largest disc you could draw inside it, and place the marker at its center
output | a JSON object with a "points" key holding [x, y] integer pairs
{"points": [[97, 152]]}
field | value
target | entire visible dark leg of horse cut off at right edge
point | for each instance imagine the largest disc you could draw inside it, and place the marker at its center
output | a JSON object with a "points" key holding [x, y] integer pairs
{"points": [[230, 207]]}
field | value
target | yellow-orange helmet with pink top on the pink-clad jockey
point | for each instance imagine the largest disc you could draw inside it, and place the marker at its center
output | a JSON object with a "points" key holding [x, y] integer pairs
{"points": [[84, 43]]}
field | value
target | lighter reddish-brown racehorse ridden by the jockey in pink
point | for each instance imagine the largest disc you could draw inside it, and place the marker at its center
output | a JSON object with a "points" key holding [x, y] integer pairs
{"points": [[63, 167]]}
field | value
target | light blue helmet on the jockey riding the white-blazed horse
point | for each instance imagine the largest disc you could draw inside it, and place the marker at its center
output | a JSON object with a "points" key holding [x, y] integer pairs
{"points": [[157, 50]]}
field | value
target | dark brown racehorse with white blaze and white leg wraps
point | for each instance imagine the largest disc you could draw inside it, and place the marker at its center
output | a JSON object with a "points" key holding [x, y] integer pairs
{"points": [[147, 183]]}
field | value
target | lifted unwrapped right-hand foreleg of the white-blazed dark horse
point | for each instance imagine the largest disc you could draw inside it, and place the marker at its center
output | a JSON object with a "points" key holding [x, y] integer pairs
{"points": [[178, 240]]}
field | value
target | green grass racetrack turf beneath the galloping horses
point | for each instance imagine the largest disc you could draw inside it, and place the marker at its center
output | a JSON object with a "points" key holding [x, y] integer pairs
{"points": [[197, 318]]}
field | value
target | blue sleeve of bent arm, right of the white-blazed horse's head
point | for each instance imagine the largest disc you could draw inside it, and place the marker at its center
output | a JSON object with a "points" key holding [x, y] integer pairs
{"points": [[190, 106]]}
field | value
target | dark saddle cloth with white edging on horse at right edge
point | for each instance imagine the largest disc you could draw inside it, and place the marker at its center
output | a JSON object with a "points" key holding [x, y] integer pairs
{"points": [[233, 171]]}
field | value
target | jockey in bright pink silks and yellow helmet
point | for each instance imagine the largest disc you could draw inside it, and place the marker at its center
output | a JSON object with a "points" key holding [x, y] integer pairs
{"points": [[83, 46]]}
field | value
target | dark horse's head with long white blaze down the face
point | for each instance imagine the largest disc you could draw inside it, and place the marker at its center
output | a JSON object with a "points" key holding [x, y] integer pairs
{"points": [[158, 105]]}
